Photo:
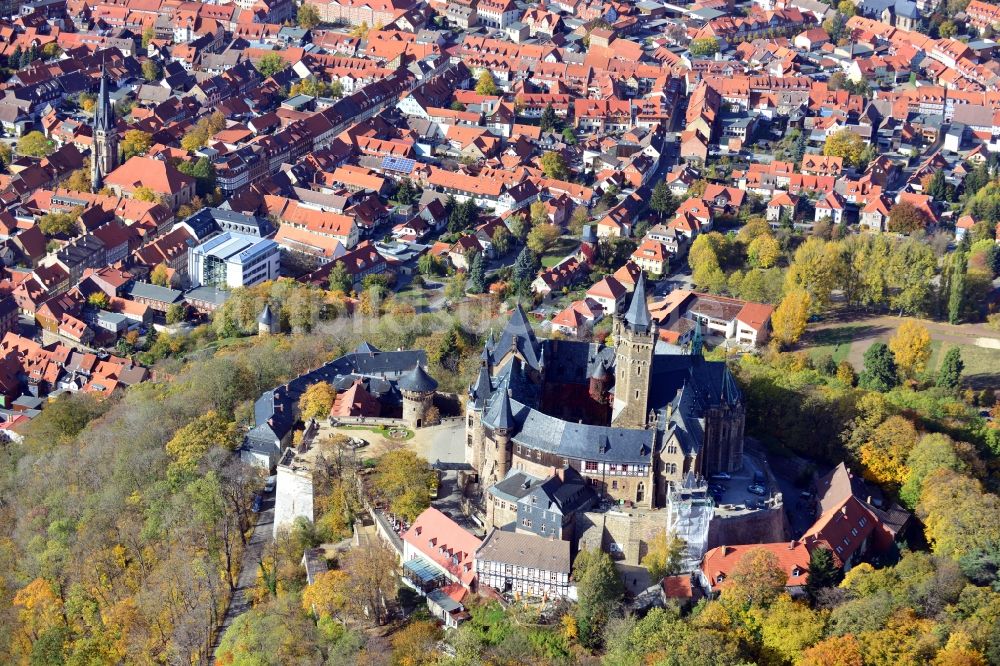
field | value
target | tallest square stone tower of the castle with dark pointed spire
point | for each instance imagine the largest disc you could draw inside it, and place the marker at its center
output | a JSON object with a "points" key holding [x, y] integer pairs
{"points": [[635, 338]]}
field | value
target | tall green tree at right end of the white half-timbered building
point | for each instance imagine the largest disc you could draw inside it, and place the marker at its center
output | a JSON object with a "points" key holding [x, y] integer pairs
{"points": [[599, 591]]}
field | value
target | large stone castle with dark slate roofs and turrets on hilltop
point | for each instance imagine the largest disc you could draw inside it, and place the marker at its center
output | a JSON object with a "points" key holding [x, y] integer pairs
{"points": [[633, 419]]}
